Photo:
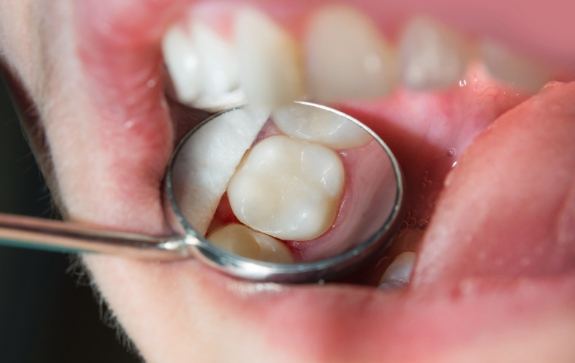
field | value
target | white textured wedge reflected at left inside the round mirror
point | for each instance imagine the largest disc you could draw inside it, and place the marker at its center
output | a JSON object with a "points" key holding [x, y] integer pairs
{"points": [[207, 161]]}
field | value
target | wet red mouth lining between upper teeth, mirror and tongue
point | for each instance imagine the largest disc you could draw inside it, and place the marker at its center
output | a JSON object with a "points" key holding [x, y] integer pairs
{"points": [[428, 132]]}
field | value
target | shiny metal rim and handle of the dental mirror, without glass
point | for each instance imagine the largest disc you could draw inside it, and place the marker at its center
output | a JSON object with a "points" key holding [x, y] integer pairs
{"points": [[77, 238]]}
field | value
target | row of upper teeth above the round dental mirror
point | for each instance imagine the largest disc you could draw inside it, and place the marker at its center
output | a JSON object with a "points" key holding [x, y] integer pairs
{"points": [[342, 56]]}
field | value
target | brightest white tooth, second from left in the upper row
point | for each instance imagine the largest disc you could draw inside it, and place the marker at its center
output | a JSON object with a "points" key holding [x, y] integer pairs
{"points": [[218, 69]]}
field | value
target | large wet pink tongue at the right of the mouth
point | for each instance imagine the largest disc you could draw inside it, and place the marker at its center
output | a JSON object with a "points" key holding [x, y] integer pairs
{"points": [[508, 208]]}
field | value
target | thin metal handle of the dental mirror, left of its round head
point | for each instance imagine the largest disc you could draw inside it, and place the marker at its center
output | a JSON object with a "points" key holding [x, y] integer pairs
{"points": [[51, 235]]}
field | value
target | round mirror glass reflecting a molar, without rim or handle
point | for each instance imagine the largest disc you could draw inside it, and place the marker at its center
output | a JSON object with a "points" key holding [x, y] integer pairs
{"points": [[306, 184]]}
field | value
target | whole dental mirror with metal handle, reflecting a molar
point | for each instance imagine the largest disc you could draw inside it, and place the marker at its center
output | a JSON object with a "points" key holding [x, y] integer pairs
{"points": [[299, 195]]}
